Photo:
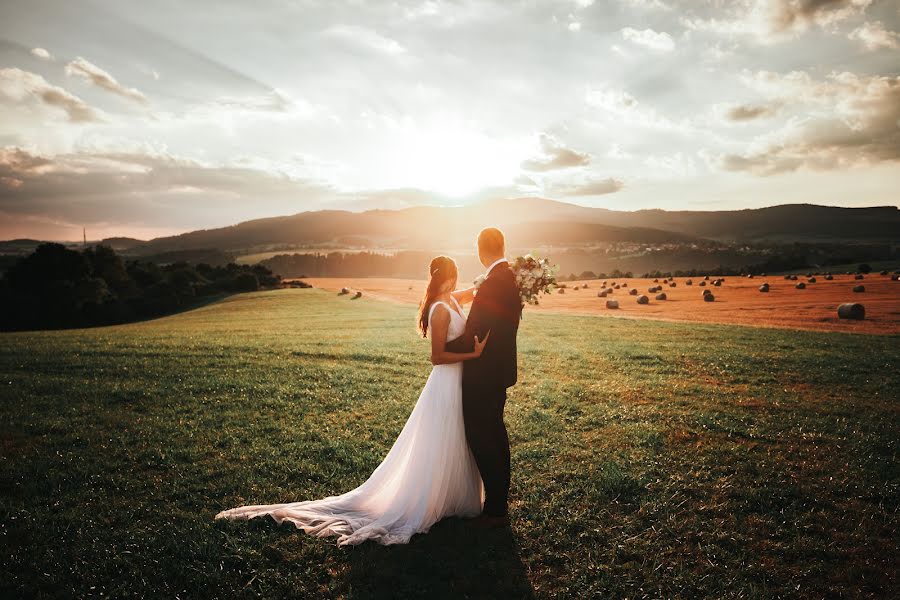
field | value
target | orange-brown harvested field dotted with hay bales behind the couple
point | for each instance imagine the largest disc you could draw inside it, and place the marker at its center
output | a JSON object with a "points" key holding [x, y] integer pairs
{"points": [[738, 300]]}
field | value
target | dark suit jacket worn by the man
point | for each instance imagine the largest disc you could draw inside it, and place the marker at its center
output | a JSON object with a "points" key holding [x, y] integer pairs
{"points": [[497, 308]]}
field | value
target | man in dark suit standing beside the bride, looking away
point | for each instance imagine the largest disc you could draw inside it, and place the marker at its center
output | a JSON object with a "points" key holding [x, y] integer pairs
{"points": [[496, 308]]}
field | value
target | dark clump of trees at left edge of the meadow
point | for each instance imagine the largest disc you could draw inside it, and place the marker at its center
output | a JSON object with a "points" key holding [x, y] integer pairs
{"points": [[55, 287]]}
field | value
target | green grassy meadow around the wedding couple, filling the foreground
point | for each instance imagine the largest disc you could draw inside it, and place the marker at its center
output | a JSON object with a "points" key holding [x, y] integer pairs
{"points": [[650, 459]]}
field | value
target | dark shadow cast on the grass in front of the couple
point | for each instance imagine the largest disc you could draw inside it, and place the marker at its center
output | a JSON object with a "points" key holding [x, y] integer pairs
{"points": [[453, 560]]}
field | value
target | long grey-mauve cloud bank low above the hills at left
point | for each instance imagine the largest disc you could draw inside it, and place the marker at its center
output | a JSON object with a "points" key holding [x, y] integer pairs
{"points": [[148, 189]]}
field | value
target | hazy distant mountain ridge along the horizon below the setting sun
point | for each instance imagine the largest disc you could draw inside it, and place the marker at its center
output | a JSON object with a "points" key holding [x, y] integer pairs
{"points": [[532, 222]]}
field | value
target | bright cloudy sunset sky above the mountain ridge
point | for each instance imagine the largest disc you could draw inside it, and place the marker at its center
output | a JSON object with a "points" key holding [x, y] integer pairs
{"points": [[151, 118]]}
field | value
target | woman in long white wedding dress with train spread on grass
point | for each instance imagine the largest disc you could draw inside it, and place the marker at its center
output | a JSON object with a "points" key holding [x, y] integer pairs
{"points": [[429, 473]]}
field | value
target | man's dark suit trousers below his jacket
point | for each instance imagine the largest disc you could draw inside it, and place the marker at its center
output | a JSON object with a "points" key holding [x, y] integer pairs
{"points": [[486, 434]]}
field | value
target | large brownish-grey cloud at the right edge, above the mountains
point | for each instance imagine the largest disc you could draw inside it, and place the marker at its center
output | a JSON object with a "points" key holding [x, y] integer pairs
{"points": [[845, 120]]}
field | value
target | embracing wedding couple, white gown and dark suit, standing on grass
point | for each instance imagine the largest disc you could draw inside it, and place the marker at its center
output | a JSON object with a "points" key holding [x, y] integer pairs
{"points": [[452, 455]]}
